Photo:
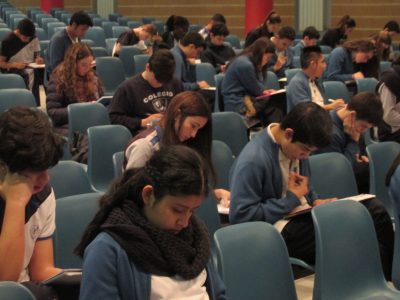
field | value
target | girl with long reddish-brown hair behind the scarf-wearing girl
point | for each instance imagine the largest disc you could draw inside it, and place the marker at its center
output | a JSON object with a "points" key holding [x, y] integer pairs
{"points": [[187, 121]]}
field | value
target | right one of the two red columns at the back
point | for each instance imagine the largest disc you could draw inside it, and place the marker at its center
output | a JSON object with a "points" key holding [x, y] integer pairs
{"points": [[256, 11]]}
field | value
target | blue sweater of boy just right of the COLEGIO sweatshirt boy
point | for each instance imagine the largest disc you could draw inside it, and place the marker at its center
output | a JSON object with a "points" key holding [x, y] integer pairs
{"points": [[183, 70]]}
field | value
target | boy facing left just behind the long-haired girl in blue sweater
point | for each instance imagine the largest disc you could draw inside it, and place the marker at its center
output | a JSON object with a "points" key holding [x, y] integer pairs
{"points": [[283, 58]]}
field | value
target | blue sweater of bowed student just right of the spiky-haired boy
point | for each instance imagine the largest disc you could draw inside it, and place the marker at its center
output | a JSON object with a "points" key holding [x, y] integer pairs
{"points": [[340, 65]]}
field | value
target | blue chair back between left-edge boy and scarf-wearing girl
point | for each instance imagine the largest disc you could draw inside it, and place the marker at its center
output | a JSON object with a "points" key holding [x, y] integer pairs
{"points": [[73, 214]]}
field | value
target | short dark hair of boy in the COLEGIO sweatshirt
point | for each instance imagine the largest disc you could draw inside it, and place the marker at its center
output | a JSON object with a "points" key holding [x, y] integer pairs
{"points": [[162, 64]]}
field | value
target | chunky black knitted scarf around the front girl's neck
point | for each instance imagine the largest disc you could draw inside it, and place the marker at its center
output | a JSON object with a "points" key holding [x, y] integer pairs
{"points": [[157, 251]]}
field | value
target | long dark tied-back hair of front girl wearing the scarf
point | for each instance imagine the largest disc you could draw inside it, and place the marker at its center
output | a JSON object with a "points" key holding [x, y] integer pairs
{"points": [[175, 170]]}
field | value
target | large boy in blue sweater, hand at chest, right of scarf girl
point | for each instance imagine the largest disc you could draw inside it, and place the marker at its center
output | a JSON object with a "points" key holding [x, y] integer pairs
{"points": [[271, 177]]}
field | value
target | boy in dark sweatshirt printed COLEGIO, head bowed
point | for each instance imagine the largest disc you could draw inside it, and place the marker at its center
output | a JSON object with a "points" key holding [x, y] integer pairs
{"points": [[143, 98]]}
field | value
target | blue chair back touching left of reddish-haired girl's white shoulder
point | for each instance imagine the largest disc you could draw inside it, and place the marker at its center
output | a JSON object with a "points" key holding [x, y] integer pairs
{"points": [[100, 159]]}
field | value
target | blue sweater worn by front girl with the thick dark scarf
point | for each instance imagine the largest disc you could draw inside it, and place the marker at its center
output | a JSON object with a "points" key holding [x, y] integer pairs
{"points": [[108, 273]]}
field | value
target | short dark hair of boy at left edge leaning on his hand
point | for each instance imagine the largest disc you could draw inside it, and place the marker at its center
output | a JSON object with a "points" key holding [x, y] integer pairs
{"points": [[28, 140]]}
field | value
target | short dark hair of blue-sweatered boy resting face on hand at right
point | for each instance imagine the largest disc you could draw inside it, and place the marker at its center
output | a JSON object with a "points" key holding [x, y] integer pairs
{"points": [[367, 106]]}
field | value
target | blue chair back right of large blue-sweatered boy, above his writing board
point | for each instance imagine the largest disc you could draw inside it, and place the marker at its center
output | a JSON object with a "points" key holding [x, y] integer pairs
{"points": [[332, 175]]}
